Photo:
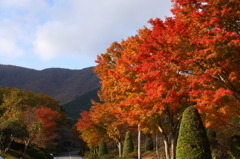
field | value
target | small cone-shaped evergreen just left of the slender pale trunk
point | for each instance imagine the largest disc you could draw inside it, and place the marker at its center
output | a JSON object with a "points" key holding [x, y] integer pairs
{"points": [[128, 146]]}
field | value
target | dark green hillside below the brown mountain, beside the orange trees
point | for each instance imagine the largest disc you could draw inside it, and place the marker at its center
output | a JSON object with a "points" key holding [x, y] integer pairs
{"points": [[81, 103]]}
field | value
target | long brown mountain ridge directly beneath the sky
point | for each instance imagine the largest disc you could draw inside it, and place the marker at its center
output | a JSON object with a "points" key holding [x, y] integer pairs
{"points": [[63, 85]]}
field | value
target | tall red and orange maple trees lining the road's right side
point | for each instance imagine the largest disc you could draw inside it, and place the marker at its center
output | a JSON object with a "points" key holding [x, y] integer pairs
{"points": [[149, 79]]}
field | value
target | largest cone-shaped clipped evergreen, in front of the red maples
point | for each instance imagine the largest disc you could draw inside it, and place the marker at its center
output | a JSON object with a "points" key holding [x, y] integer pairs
{"points": [[192, 141]]}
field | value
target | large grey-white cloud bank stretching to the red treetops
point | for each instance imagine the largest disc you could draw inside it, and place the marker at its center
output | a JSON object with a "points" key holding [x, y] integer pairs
{"points": [[89, 26]]}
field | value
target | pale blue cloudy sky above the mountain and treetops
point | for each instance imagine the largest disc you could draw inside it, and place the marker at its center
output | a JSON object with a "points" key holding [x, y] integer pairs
{"points": [[70, 34]]}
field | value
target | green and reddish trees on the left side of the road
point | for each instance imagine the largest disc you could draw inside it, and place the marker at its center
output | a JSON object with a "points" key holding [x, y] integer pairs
{"points": [[29, 118]]}
